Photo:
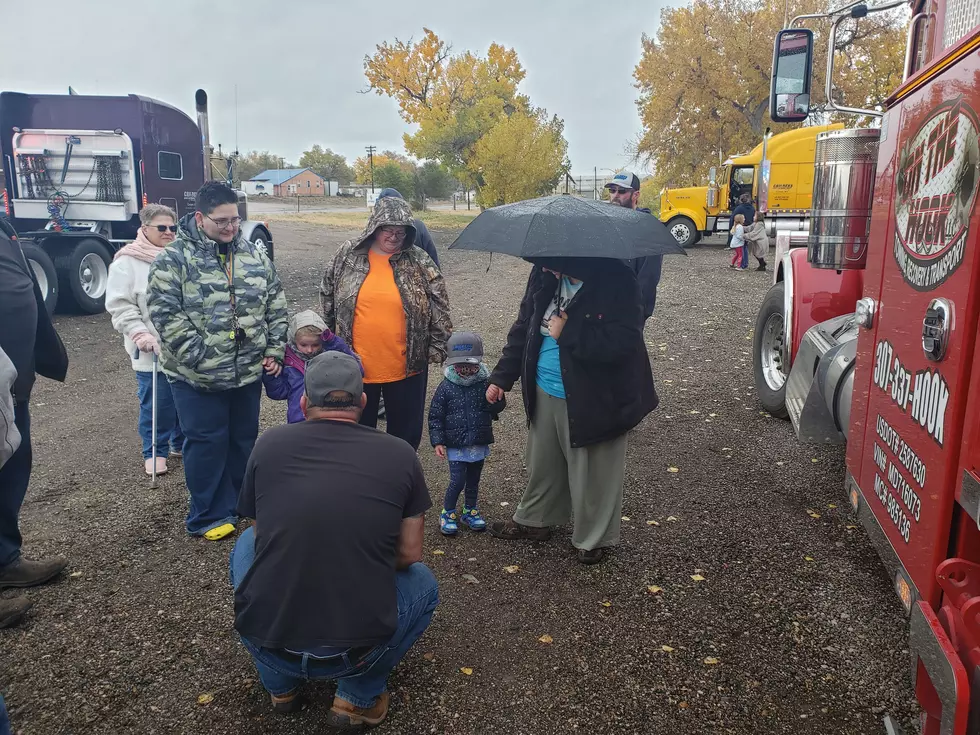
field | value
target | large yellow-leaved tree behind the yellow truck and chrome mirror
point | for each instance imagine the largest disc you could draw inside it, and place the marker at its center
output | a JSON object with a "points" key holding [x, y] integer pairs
{"points": [[704, 79]]}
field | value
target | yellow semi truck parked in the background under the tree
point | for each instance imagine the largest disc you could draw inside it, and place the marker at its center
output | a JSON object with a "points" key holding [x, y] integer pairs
{"points": [[778, 173]]}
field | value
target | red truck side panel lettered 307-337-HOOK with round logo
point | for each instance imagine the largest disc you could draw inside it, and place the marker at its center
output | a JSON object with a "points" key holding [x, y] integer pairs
{"points": [[914, 364]]}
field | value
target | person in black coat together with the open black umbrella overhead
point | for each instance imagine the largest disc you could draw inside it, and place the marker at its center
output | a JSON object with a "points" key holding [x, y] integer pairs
{"points": [[577, 348]]}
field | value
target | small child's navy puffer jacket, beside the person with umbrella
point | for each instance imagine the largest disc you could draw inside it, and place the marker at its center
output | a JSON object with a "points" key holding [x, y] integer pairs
{"points": [[460, 416]]}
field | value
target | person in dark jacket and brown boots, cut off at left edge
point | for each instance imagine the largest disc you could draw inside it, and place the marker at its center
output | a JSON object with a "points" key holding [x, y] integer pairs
{"points": [[32, 344]]}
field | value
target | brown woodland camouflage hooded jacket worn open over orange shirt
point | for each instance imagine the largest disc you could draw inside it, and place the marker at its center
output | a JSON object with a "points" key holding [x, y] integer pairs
{"points": [[419, 281]]}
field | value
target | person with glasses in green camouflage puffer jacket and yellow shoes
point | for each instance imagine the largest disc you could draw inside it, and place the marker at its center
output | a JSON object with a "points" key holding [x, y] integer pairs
{"points": [[219, 307]]}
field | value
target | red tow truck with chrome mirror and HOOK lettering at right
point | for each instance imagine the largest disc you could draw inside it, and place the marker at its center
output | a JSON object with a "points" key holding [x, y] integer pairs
{"points": [[871, 333]]}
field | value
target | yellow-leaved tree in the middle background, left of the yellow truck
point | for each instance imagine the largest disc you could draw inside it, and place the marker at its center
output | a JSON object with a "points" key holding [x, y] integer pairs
{"points": [[457, 100]]}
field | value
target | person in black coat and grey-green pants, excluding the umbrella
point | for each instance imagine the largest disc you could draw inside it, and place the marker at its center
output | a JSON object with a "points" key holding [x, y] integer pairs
{"points": [[577, 347]]}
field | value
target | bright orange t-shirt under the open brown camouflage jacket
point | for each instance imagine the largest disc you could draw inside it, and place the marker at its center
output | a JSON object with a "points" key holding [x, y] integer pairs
{"points": [[380, 328]]}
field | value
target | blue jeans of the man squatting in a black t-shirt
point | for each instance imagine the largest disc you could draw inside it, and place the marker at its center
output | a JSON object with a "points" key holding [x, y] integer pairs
{"points": [[360, 678]]}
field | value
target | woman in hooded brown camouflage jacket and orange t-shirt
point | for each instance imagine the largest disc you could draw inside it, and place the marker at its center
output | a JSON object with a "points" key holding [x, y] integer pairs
{"points": [[387, 299]]}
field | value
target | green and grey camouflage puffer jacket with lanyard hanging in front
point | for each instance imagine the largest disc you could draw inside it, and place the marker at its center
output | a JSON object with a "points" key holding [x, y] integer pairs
{"points": [[190, 305]]}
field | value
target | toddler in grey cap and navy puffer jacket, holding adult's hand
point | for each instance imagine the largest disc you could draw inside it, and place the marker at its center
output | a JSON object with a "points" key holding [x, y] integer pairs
{"points": [[461, 428]]}
